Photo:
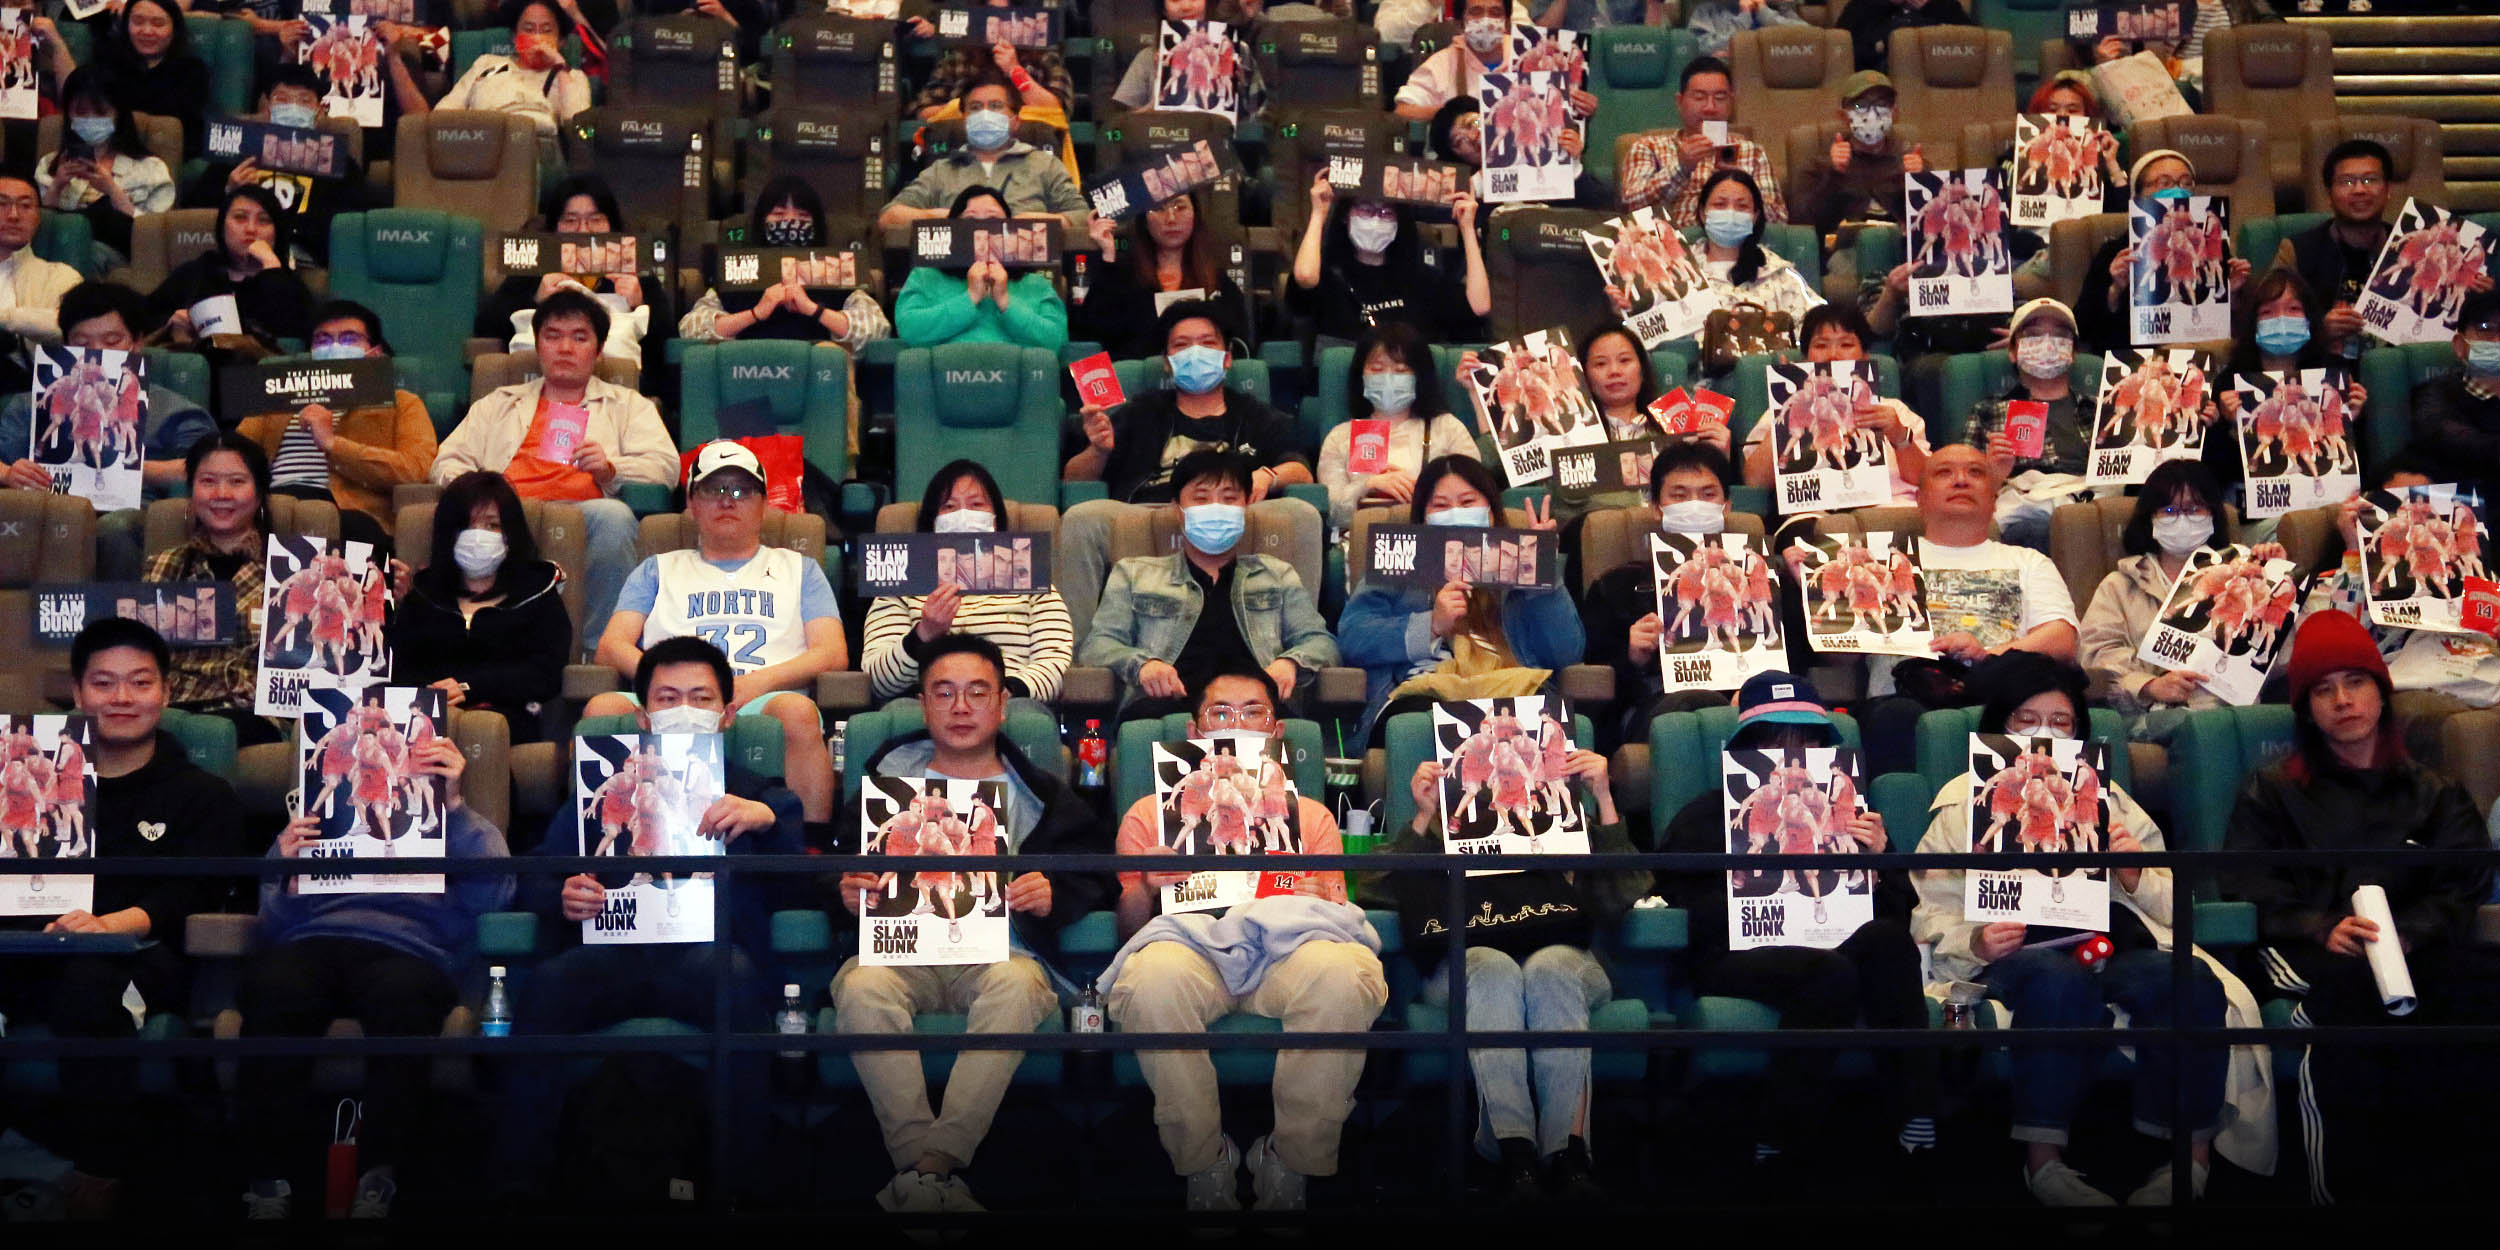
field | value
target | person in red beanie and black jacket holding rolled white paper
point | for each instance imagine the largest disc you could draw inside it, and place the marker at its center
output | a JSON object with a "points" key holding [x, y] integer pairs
{"points": [[2349, 786]]}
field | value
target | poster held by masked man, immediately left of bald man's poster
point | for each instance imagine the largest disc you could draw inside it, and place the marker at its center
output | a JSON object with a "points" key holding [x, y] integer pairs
{"points": [[1719, 611]]}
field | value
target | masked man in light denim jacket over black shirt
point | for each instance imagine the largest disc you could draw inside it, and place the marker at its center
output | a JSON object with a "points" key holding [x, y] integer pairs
{"points": [[1154, 629]]}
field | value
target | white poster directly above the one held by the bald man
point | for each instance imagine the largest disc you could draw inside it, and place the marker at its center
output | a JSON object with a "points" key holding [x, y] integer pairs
{"points": [[1824, 459]]}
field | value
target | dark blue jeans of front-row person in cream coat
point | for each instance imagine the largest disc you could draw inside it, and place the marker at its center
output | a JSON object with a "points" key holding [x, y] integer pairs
{"points": [[2049, 989]]}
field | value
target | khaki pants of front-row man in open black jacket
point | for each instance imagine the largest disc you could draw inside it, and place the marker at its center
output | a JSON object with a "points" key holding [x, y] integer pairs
{"points": [[994, 999]]}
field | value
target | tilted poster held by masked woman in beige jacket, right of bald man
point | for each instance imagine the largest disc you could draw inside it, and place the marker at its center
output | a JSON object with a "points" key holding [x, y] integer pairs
{"points": [[2226, 619]]}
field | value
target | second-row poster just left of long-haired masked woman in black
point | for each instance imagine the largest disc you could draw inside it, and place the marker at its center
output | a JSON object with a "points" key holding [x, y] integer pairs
{"points": [[324, 616]]}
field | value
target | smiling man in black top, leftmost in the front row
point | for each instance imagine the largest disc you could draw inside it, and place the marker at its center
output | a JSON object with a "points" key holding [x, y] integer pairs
{"points": [[151, 801]]}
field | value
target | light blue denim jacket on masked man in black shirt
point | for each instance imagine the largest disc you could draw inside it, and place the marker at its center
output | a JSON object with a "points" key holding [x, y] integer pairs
{"points": [[1151, 604]]}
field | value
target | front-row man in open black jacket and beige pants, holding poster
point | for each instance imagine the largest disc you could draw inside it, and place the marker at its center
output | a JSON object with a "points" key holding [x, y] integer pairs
{"points": [[964, 694]]}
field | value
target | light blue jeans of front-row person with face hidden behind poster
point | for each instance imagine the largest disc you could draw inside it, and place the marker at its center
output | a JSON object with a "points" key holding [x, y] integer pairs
{"points": [[1556, 989]]}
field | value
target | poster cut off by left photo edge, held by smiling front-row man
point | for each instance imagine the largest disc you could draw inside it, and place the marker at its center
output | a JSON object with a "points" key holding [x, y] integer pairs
{"points": [[46, 814]]}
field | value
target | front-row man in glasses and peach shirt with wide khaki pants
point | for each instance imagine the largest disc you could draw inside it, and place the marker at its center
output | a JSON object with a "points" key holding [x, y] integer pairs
{"points": [[1301, 956]]}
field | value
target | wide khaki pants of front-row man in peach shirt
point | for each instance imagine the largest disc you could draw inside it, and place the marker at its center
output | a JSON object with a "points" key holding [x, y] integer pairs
{"points": [[1319, 989]]}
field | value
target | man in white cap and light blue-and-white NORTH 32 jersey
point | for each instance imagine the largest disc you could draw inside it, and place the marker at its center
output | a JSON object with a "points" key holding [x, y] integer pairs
{"points": [[769, 609]]}
